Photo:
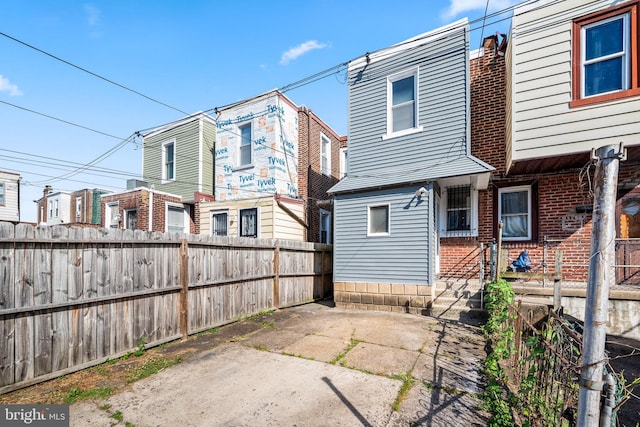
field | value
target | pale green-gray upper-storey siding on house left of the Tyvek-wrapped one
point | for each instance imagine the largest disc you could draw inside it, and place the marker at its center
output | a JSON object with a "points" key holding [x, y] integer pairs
{"points": [[187, 158]]}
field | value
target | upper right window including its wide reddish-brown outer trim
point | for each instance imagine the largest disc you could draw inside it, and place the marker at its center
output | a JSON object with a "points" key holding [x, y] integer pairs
{"points": [[605, 55]]}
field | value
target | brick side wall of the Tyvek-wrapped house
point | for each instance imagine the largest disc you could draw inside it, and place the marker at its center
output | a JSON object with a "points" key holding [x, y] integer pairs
{"points": [[312, 183]]}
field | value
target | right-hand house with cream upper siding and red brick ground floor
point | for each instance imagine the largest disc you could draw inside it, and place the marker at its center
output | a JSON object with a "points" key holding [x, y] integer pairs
{"points": [[567, 84]]}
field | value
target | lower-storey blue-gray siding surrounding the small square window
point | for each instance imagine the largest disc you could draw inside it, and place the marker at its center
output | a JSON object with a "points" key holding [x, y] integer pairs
{"points": [[404, 256]]}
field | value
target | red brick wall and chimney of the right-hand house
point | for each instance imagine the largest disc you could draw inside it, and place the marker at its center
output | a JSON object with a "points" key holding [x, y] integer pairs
{"points": [[558, 226]]}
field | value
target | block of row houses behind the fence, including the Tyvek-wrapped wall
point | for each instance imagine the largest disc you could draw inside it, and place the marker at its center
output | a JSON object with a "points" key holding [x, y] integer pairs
{"points": [[259, 168]]}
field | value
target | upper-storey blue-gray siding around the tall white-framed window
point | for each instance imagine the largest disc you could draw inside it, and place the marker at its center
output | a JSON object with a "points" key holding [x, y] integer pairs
{"points": [[442, 108]]}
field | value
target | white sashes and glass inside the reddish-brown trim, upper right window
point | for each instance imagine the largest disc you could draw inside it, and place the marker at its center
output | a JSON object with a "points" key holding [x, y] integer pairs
{"points": [[604, 56]]}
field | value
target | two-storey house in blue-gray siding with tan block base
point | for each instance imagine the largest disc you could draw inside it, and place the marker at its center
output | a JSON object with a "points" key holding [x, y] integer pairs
{"points": [[412, 179]]}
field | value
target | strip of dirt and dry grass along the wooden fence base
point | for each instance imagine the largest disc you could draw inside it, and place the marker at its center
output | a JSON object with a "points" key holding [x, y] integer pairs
{"points": [[116, 375]]}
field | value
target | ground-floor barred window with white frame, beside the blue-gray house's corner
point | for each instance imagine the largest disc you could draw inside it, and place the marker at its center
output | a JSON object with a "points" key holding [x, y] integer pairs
{"points": [[459, 207]]}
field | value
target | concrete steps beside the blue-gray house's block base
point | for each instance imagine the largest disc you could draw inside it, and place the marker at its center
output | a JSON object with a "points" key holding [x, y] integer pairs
{"points": [[457, 300]]}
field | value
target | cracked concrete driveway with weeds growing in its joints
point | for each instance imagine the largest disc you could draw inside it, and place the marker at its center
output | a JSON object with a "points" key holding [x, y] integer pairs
{"points": [[312, 365]]}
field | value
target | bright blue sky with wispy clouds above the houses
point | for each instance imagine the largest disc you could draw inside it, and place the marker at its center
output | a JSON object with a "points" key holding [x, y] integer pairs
{"points": [[191, 56]]}
